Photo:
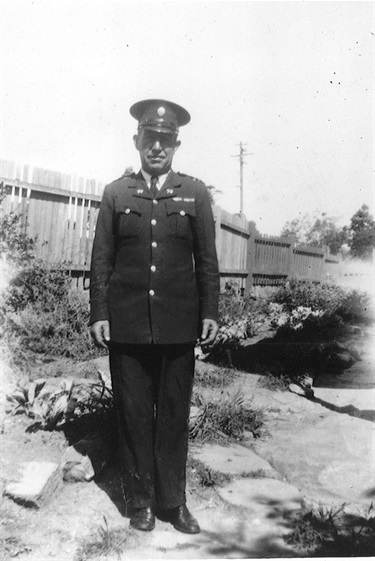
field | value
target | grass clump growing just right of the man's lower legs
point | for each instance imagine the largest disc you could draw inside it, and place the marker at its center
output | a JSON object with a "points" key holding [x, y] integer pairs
{"points": [[226, 418]]}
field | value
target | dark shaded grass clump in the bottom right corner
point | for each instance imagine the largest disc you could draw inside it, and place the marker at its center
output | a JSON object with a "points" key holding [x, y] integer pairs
{"points": [[334, 533]]}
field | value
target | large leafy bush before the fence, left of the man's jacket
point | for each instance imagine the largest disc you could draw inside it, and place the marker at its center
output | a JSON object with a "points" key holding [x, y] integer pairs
{"points": [[46, 313]]}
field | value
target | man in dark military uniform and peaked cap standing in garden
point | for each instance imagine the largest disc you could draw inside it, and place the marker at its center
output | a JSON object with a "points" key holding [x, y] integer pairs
{"points": [[154, 291]]}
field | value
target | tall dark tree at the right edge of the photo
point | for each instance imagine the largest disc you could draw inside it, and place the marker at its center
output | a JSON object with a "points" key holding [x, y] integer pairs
{"points": [[362, 233]]}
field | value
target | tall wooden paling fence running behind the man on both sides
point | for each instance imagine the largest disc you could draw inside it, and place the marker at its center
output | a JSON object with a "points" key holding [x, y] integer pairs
{"points": [[61, 212]]}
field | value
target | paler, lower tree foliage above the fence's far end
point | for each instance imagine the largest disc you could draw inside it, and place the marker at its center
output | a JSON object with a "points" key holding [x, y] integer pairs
{"points": [[317, 230]]}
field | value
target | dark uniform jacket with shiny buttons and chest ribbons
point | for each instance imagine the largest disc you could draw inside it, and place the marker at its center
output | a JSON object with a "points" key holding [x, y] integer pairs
{"points": [[154, 272]]}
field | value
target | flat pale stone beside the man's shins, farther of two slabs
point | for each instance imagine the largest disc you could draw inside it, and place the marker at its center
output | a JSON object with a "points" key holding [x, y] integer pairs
{"points": [[233, 460]]}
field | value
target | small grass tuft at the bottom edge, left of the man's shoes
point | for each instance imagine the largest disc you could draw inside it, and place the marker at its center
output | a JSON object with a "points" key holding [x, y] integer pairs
{"points": [[104, 542]]}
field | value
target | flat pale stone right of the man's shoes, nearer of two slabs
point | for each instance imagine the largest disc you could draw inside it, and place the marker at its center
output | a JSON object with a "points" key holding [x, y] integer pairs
{"points": [[263, 497]]}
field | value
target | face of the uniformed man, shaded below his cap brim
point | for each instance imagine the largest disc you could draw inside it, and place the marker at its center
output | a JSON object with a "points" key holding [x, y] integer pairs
{"points": [[156, 150]]}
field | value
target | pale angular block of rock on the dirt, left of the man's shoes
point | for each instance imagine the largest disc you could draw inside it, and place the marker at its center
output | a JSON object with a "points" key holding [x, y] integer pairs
{"points": [[38, 484]]}
